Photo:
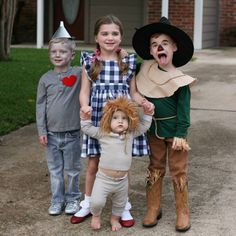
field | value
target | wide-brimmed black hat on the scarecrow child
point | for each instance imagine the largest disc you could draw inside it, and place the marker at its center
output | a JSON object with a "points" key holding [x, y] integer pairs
{"points": [[141, 41]]}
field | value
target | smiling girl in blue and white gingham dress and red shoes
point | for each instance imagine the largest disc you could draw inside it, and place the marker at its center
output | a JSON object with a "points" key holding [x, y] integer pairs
{"points": [[107, 74]]}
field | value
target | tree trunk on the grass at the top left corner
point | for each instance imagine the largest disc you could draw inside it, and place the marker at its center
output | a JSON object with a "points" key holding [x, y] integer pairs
{"points": [[7, 15]]}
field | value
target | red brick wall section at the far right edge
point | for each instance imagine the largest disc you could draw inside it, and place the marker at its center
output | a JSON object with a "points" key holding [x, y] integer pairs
{"points": [[227, 23]]}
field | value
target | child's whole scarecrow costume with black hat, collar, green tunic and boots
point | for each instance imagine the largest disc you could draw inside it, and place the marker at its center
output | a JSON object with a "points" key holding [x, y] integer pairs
{"points": [[170, 93]]}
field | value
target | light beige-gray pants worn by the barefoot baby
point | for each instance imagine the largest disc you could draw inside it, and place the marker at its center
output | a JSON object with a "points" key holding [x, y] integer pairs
{"points": [[104, 186]]}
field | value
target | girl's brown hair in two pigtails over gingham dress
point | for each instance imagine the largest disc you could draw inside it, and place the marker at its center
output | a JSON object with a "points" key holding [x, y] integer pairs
{"points": [[96, 65]]}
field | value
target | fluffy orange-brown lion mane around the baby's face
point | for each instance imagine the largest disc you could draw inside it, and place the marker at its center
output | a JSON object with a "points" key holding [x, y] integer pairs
{"points": [[119, 104]]}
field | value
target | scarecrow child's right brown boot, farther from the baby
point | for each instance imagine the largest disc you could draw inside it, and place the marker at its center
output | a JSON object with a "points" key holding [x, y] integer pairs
{"points": [[182, 208]]}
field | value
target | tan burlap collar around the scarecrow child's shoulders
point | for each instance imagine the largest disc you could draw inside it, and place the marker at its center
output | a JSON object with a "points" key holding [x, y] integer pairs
{"points": [[155, 83]]}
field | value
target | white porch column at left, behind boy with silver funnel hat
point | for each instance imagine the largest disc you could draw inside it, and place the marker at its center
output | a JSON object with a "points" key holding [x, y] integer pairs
{"points": [[40, 23]]}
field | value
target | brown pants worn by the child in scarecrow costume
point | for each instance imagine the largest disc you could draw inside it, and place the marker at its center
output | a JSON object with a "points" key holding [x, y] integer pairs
{"points": [[177, 160]]}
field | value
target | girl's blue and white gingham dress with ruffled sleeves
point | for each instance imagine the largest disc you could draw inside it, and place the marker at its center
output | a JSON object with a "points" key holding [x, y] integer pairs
{"points": [[110, 84]]}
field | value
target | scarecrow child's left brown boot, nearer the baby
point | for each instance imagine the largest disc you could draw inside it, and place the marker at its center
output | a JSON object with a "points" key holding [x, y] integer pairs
{"points": [[153, 195]]}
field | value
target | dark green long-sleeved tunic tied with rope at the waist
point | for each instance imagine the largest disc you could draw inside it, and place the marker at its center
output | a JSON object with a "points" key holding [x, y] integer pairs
{"points": [[172, 114]]}
